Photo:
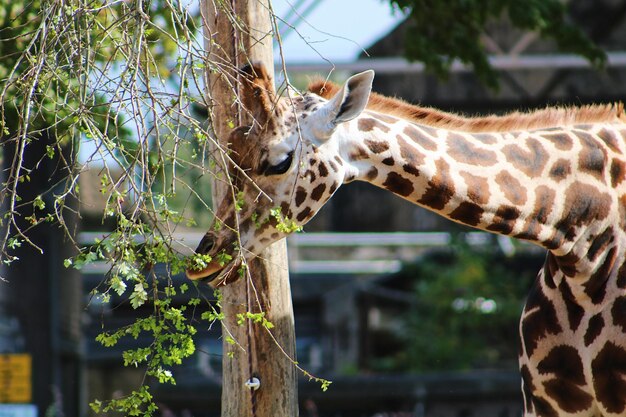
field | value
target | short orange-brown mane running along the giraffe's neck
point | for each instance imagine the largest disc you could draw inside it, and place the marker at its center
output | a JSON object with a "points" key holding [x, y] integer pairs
{"points": [[537, 119]]}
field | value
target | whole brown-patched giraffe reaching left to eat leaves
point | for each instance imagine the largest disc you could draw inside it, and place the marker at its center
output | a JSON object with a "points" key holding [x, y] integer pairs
{"points": [[554, 177]]}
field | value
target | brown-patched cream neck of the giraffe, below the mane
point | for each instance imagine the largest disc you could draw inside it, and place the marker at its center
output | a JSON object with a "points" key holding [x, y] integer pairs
{"points": [[554, 187]]}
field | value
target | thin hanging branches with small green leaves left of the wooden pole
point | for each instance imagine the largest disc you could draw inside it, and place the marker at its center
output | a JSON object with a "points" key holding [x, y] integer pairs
{"points": [[115, 85]]}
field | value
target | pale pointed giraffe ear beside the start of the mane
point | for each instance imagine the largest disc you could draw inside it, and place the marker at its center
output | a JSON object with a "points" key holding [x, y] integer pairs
{"points": [[351, 100]]}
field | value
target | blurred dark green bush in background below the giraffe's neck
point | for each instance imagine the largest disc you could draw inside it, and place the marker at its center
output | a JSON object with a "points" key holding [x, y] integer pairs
{"points": [[467, 309]]}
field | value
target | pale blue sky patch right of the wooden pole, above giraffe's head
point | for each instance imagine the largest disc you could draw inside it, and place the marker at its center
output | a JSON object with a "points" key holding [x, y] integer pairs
{"points": [[336, 30]]}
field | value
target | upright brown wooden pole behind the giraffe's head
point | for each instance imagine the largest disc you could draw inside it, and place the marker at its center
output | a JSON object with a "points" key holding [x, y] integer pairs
{"points": [[258, 354]]}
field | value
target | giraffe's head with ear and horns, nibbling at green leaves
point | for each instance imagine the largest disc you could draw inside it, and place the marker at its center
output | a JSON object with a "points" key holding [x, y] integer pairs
{"points": [[283, 168]]}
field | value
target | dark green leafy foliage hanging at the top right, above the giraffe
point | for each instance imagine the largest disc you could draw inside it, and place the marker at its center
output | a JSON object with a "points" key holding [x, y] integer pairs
{"points": [[441, 31]]}
